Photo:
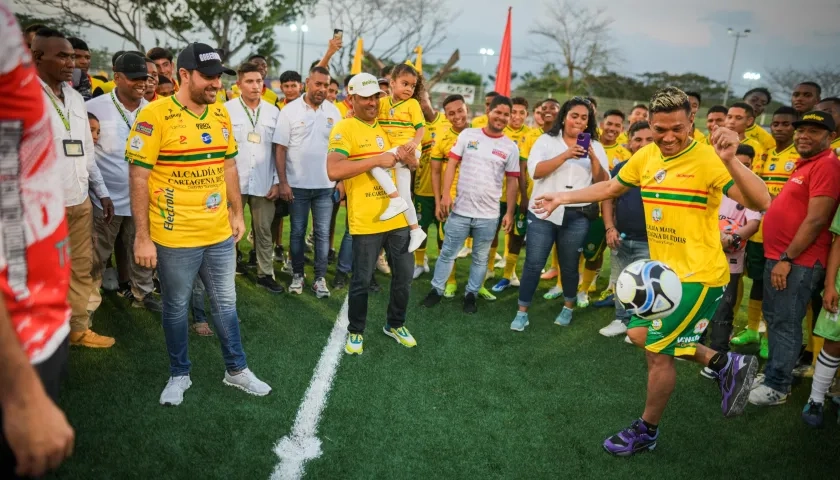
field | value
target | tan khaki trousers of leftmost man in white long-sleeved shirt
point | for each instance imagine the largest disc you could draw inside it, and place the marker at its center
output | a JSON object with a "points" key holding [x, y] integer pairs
{"points": [[80, 227]]}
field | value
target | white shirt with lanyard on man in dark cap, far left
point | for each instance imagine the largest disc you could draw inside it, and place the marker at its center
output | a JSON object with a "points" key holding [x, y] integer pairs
{"points": [[115, 122]]}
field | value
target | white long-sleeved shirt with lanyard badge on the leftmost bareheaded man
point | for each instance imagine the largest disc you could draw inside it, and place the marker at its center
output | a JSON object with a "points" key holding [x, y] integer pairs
{"points": [[78, 173]]}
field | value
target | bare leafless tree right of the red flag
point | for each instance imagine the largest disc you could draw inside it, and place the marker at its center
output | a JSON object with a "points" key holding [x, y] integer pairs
{"points": [[578, 36]]}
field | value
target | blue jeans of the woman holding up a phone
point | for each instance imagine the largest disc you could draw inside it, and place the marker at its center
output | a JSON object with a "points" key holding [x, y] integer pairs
{"points": [[542, 235]]}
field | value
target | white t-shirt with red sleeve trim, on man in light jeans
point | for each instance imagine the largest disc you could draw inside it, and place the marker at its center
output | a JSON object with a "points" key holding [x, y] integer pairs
{"points": [[485, 163]]}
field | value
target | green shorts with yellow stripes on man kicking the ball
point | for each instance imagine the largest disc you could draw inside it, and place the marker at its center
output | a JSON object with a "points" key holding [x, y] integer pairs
{"points": [[677, 334]]}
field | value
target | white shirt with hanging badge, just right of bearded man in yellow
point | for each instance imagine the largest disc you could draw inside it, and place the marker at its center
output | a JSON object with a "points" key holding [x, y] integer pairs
{"points": [[253, 130]]}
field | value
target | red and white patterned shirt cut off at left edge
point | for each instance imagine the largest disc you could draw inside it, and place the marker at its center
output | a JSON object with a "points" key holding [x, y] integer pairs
{"points": [[34, 252]]}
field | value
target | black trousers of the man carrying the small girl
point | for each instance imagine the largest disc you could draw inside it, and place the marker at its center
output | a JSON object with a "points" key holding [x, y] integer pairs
{"points": [[366, 250]]}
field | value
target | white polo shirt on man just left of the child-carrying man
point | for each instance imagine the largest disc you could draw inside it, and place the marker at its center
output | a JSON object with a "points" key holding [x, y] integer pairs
{"points": [[305, 131]]}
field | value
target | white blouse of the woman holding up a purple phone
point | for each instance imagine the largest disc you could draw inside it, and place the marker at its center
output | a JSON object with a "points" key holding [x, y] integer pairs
{"points": [[574, 174]]}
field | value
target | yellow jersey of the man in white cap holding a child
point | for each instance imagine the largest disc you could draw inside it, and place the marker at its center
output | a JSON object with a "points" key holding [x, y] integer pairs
{"points": [[366, 200]]}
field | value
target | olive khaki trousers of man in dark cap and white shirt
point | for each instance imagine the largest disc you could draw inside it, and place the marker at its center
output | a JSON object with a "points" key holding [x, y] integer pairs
{"points": [[105, 237]]}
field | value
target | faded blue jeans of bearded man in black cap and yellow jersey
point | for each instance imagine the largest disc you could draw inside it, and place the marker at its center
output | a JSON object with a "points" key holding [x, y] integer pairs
{"points": [[177, 268]]}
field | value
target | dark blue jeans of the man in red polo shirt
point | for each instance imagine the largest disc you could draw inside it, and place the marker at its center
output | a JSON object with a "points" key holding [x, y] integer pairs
{"points": [[783, 312]]}
